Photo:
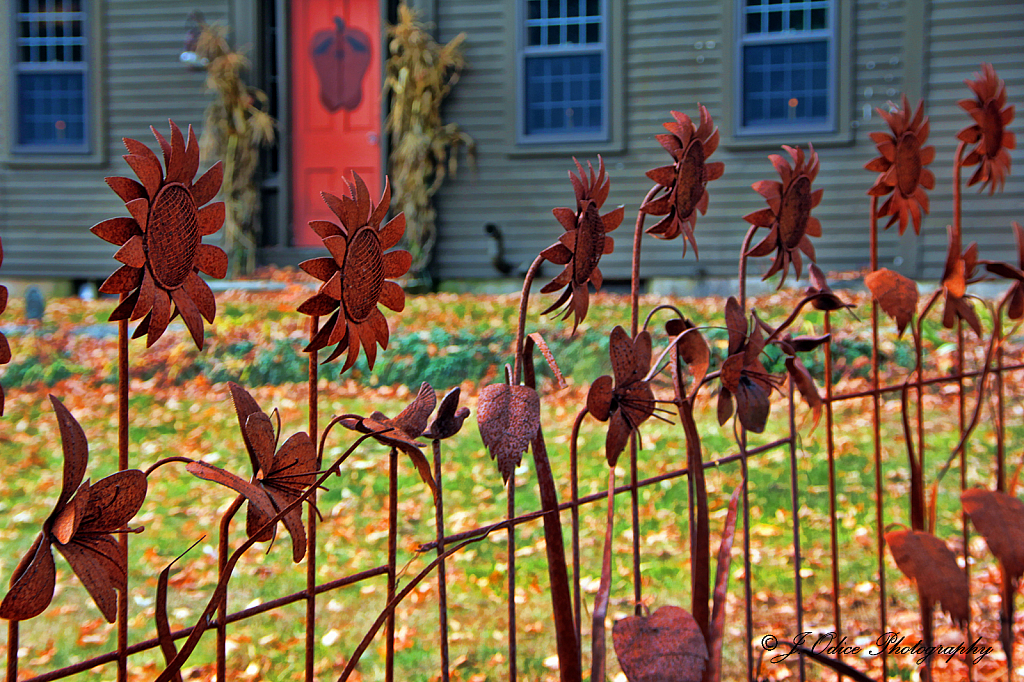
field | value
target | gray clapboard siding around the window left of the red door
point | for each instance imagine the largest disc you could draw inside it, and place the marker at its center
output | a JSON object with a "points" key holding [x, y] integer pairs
{"points": [[46, 214]]}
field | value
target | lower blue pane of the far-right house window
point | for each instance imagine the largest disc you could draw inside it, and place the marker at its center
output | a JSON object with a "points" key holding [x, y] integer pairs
{"points": [[786, 83]]}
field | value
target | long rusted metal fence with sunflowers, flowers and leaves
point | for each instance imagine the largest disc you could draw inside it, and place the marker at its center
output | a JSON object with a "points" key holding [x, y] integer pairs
{"points": [[162, 254]]}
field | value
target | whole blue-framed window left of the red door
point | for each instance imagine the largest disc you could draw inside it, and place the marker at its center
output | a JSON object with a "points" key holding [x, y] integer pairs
{"points": [[51, 77]]}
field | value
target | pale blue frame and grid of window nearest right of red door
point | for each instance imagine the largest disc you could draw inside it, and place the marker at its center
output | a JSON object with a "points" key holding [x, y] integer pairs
{"points": [[525, 52]]}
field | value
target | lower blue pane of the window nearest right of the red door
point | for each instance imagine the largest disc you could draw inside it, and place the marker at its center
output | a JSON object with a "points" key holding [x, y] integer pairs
{"points": [[564, 95]]}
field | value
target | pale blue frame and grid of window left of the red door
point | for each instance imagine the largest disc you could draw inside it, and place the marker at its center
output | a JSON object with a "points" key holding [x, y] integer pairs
{"points": [[67, 67]]}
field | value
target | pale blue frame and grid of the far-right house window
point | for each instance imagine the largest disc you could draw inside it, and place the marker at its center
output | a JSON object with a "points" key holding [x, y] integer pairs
{"points": [[787, 37]]}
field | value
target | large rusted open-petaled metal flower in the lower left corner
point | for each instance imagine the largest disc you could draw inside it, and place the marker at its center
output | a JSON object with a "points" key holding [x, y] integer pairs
{"points": [[81, 527]]}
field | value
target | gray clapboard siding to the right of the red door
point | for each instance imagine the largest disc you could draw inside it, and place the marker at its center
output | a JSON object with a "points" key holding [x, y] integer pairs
{"points": [[662, 74]]}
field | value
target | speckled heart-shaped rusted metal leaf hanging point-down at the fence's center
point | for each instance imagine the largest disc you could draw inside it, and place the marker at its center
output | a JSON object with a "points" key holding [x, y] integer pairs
{"points": [[509, 418]]}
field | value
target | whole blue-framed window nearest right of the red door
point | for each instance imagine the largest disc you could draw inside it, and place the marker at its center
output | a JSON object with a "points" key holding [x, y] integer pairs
{"points": [[564, 71]]}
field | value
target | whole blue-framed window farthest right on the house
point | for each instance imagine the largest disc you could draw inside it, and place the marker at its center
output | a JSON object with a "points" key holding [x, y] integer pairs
{"points": [[787, 66]]}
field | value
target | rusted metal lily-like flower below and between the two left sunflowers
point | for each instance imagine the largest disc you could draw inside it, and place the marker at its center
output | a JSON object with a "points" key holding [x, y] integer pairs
{"points": [[284, 475]]}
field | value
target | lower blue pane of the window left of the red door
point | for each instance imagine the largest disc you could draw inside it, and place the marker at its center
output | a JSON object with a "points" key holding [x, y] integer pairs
{"points": [[52, 109]]}
